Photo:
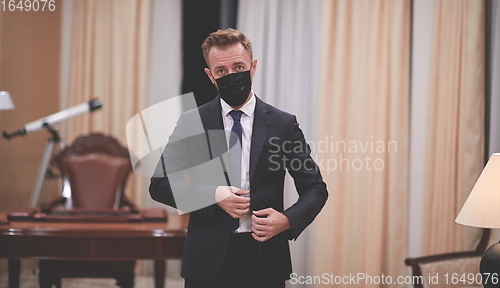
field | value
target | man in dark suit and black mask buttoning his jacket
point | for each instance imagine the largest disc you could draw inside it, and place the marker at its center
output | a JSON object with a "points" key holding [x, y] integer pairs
{"points": [[242, 240]]}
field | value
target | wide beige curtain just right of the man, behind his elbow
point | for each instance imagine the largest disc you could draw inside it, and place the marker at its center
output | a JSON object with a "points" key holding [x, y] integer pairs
{"points": [[364, 120]]}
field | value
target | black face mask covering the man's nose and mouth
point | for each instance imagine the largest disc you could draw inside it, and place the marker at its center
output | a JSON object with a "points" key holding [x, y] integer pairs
{"points": [[234, 88]]}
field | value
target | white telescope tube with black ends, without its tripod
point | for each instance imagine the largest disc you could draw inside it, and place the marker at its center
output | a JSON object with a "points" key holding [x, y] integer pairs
{"points": [[55, 118]]}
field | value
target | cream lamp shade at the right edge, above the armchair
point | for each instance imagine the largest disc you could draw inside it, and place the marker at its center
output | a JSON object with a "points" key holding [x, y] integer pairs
{"points": [[482, 208]]}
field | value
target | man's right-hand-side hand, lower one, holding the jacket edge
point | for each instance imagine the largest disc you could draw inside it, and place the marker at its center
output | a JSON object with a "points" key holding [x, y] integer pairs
{"points": [[267, 223]]}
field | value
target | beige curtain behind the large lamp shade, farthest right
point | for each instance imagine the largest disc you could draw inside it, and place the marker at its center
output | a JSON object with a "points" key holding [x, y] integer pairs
{"points": [[456, 119]]}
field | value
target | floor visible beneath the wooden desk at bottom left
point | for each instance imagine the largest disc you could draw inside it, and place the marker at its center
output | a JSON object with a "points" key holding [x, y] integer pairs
{"points": [[30, 280]]}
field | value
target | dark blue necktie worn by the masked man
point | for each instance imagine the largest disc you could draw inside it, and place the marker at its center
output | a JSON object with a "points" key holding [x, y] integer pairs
{"points": [[235, 155]]}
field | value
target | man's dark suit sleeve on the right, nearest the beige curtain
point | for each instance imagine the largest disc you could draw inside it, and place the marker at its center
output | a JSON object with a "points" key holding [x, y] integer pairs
{"points": [[308, 181]]}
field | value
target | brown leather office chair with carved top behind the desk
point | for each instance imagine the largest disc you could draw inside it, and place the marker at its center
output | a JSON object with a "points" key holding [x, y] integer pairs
{"points": [[96, 167]]}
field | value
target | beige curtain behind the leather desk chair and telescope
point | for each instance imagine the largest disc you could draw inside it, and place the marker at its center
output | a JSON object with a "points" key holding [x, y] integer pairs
{"points": [[109, 61]]}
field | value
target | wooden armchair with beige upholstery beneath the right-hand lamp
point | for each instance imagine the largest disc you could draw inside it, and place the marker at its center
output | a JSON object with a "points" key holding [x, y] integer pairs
{"points": [[458, 263]]}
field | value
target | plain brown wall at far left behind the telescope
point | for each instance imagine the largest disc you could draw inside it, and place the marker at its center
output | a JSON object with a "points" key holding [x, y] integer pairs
{"points": [[29, 70]]}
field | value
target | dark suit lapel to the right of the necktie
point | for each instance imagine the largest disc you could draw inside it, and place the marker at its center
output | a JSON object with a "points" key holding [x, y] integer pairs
{"points": [[260, 130]]}
